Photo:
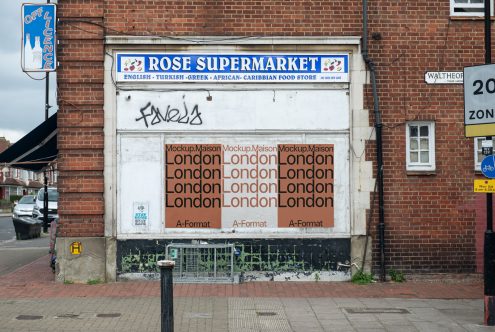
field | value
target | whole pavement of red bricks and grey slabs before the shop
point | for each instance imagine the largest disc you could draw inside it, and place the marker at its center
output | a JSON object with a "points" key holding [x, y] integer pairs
{"points": [[30, 300]]}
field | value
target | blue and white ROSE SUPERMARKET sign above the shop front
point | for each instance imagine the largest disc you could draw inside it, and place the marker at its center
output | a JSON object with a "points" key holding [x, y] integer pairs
{"points": [[247, 68]]}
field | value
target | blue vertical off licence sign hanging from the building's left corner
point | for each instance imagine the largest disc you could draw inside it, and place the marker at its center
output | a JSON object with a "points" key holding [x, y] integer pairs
{"points": [[39, 37]]}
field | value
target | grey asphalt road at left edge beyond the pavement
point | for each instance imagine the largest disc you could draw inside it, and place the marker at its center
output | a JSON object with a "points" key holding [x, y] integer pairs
{"points": [[16, 253]]}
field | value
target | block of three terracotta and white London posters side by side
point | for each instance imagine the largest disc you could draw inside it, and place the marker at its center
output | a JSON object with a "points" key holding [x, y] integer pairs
{"points": [[249, 186]]}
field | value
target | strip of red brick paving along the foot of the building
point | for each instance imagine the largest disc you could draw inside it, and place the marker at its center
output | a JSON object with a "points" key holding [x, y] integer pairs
{"points": [[36, 280]]}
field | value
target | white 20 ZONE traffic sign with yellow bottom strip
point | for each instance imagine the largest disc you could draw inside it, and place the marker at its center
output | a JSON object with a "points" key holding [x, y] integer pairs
{"points": [[479, 100]]}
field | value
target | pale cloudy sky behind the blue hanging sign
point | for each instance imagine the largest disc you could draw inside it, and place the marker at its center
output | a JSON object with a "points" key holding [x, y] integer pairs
{"points": [[23, 99]]}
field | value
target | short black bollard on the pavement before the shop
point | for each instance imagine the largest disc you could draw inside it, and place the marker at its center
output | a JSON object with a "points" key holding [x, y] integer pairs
{"points": [[167, 295]]}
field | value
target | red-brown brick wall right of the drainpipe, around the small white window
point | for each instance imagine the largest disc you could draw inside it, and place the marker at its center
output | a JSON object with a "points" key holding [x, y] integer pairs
{"points": [[430, 219]]}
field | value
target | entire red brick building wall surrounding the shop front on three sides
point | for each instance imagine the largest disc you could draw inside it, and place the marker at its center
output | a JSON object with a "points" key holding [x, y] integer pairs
{"points": [[431, 219]]}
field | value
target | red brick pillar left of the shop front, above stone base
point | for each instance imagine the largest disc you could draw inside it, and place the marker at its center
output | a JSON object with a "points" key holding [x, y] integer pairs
{"points": [[80, 117]]}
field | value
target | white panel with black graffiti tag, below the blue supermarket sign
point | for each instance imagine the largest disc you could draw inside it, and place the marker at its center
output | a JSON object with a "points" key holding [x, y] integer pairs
{"points": [[233, 110]]}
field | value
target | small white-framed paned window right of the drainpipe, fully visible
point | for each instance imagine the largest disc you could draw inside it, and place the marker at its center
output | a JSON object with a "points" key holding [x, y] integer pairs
{"points": [[420, 146]]}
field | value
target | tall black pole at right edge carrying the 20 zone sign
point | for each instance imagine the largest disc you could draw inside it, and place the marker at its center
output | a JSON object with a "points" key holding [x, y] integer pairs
{"points": [[489, 243]]}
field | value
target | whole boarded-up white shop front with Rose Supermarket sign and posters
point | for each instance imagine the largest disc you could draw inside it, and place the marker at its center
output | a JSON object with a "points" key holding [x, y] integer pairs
{"points": [[250, 148]]}
